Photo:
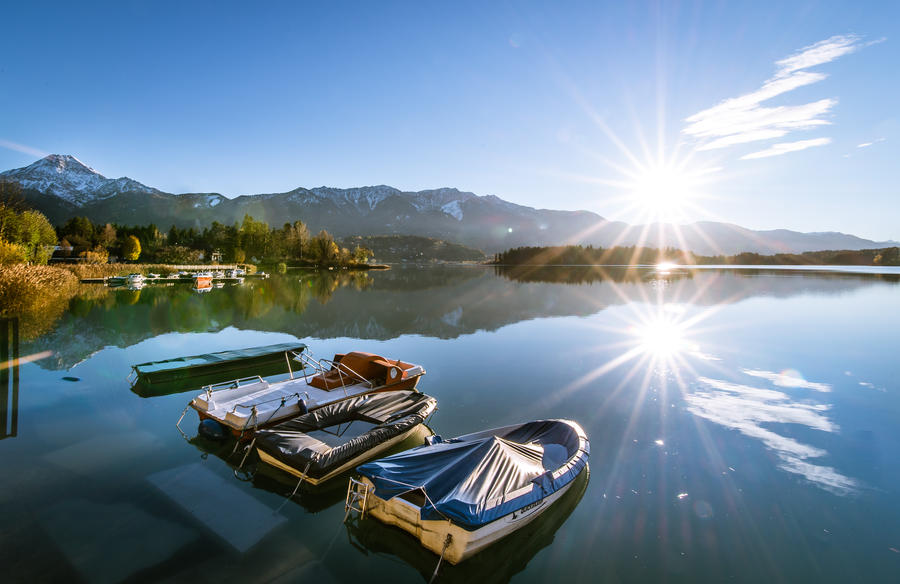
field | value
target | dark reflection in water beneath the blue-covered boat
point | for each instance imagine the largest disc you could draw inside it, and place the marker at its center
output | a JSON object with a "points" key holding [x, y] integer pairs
{"points": [[498, 563]]}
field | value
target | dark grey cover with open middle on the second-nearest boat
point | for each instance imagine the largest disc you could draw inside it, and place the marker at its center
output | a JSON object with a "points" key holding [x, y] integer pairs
{"points": [[393, 412]]}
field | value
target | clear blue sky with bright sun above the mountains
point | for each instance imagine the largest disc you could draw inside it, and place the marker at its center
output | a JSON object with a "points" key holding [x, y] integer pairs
{"points": [[554, 105]]}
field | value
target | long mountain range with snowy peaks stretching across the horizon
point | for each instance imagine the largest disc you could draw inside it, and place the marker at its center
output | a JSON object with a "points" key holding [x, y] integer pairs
{"points": [[61, 187]]}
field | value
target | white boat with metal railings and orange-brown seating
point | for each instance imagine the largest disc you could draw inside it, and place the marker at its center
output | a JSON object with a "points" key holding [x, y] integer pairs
{"points": [[244, 406]]}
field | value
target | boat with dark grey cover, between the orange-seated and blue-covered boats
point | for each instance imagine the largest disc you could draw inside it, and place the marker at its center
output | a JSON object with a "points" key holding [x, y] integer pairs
{"points": [[330, 440]]}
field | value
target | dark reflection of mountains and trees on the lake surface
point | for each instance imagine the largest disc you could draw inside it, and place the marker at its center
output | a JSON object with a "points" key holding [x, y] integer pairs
{"points": [[439, 302]]}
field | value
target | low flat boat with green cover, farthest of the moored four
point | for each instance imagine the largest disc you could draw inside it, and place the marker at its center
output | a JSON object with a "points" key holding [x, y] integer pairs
{"points": [[210, 367]]}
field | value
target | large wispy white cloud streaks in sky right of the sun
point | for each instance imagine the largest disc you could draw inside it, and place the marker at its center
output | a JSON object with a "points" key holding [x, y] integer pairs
{"points": [[744, 119]]}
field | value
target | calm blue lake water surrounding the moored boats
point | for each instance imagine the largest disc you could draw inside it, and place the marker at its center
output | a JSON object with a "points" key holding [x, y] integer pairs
{"points": [[744, 426]]}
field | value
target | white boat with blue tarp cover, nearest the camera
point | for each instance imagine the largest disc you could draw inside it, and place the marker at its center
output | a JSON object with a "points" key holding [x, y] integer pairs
{"points": [[459, 496]]}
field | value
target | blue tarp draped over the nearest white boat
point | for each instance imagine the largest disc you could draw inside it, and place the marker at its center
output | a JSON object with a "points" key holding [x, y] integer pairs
{"points": [[477, 478]]}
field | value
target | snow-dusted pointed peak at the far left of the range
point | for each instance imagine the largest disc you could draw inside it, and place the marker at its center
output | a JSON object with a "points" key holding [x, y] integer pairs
{"points": [[70, 179]]}
